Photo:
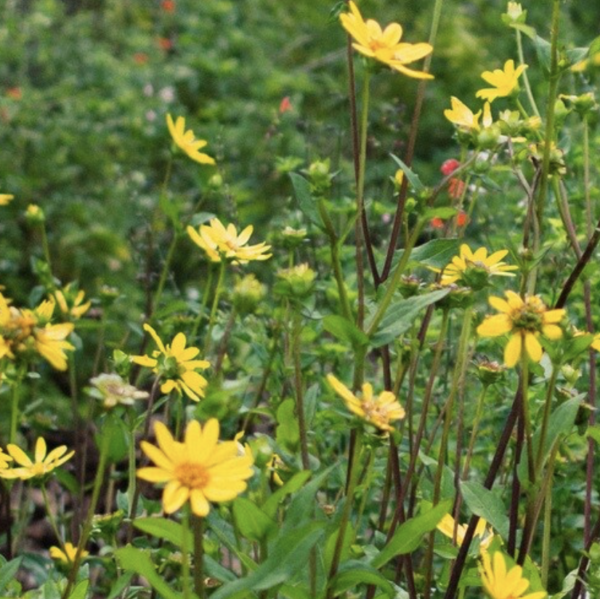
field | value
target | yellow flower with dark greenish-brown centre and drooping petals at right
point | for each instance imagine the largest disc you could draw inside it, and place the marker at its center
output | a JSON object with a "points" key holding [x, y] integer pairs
{"points": [[525, 320]]}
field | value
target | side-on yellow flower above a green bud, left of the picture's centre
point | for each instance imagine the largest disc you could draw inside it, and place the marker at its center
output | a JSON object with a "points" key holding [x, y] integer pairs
{"points": [[224, 243]]}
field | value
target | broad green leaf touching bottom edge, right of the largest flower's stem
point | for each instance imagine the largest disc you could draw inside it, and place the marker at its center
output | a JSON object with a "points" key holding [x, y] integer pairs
{"points": [[289, 551]]}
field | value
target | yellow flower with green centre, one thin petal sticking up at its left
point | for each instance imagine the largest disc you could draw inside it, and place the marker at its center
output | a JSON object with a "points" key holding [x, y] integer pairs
{"points": [[176, 364]]}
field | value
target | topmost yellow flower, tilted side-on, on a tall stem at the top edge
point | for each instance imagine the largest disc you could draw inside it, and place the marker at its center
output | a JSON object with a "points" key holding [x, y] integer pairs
{"points": [[384, 44]]}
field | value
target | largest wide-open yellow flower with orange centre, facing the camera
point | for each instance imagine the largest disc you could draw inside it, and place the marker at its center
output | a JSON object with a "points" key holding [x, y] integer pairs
{"points": [[199, 470]]}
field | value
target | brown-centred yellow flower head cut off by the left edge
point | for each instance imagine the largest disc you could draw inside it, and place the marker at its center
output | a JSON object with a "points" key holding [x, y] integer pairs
{"points": [[29, 332]]}
